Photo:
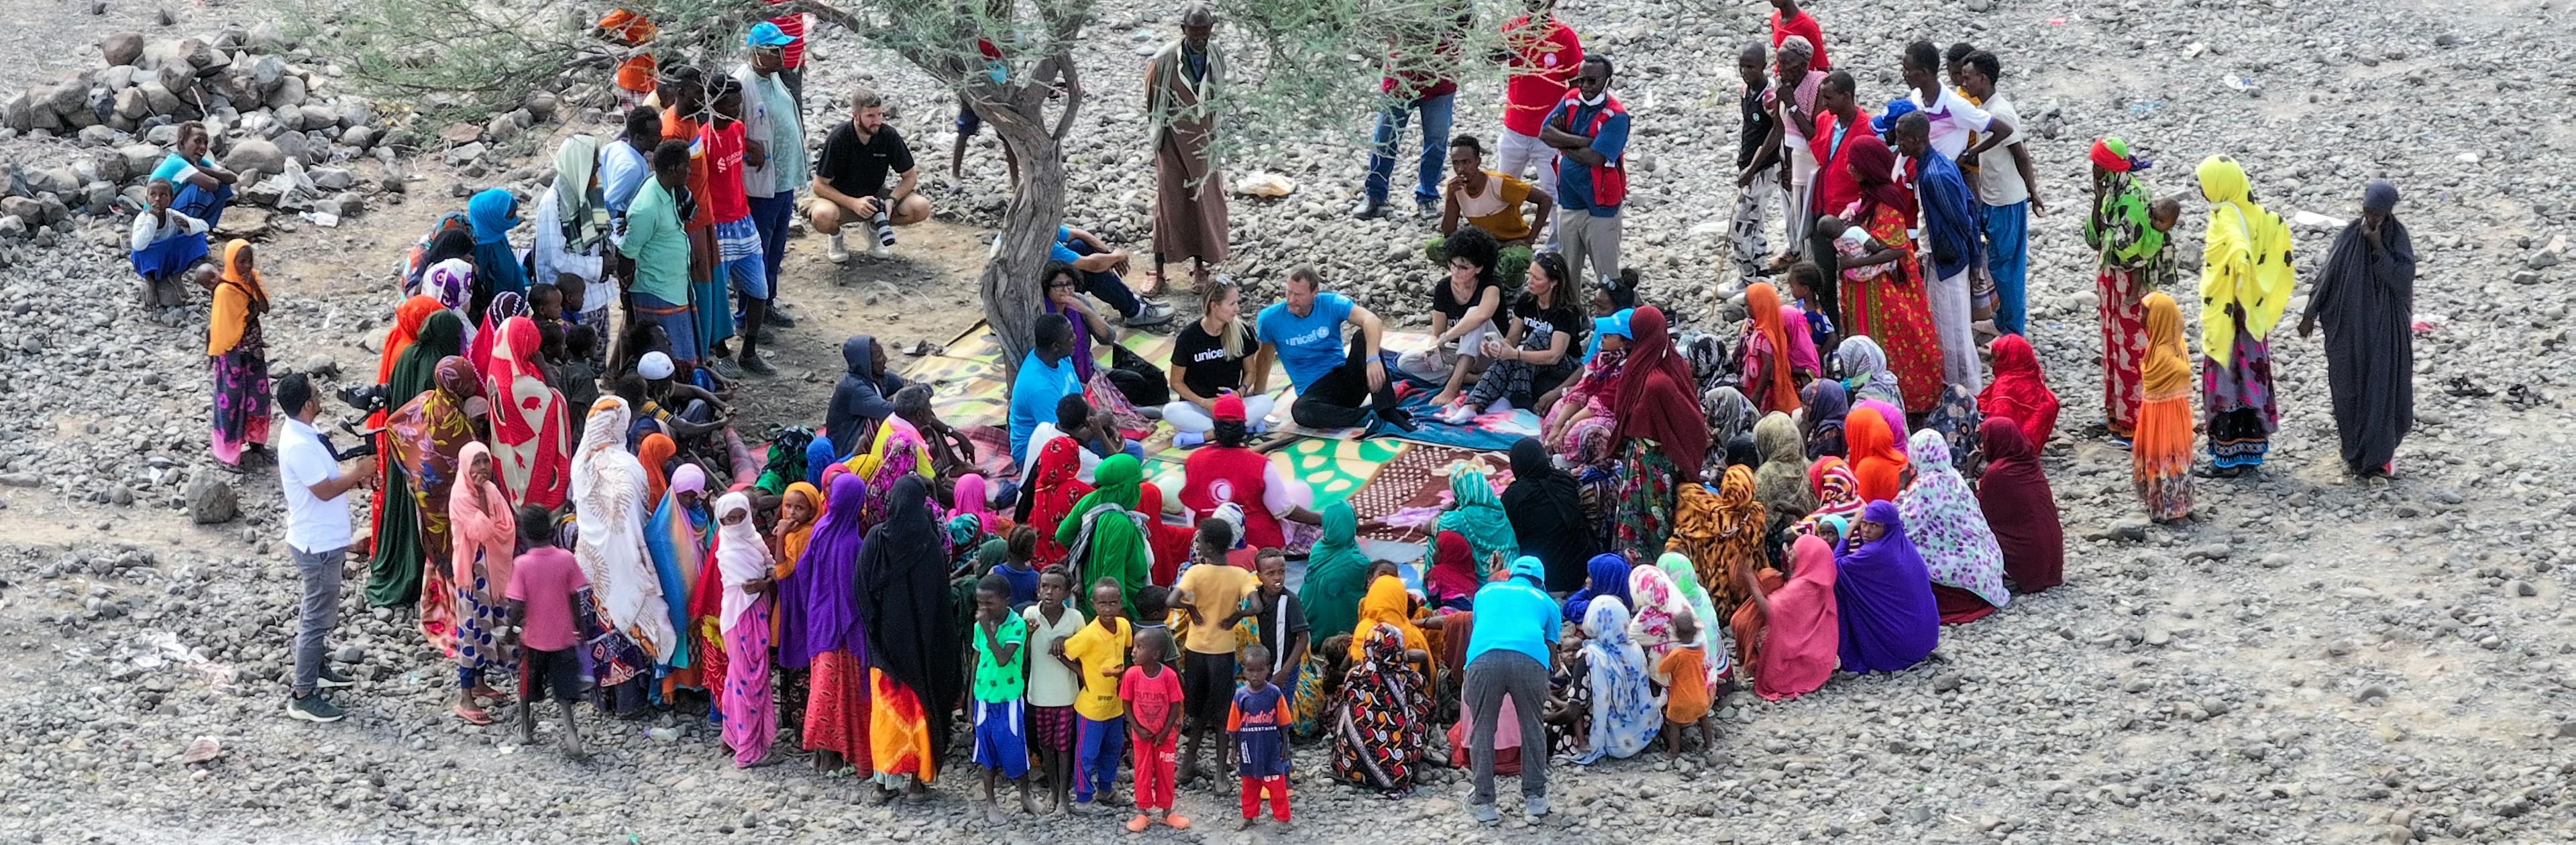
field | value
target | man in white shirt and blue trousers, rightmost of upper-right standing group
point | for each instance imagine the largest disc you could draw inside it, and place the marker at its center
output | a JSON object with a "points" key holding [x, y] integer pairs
{"points": [[2008, 197]]}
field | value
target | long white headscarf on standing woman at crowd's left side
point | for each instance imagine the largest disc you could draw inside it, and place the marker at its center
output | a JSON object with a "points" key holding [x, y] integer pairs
{"points": [[609, 504]]}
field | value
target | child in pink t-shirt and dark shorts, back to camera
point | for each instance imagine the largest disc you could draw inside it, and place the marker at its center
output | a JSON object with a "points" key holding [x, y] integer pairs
{"points": [[545, 584]]}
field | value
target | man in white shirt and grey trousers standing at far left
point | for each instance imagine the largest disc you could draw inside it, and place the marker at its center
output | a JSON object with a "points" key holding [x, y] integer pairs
{"points": [[318, 537]]}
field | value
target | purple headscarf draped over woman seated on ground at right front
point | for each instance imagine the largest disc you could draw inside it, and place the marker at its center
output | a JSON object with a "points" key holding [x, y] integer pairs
{"points": [[1884, 599]]}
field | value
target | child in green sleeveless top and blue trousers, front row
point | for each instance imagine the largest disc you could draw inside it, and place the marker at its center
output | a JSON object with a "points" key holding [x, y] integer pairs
{"points": [[1001, 681]]}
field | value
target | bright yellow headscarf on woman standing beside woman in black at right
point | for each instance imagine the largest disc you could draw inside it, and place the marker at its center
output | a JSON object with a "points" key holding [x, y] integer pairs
{"points": [[2245, 261]]}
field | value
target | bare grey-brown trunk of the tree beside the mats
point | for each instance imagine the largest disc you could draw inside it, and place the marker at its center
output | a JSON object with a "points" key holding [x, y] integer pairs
{"points": [[1011, 287]]}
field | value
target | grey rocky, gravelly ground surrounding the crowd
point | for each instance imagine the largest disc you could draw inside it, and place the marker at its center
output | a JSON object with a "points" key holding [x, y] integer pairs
{"points": [[2312, 661]]}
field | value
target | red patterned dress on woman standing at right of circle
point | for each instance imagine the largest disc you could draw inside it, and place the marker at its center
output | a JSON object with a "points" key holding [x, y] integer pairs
{"points": [[1892, 310]]}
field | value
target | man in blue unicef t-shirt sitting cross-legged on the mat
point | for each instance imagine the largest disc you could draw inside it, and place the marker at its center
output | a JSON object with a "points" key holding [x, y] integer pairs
{"points": [[1331, 380]]}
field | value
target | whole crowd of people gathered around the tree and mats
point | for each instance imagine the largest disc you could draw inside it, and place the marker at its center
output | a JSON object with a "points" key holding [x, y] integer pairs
{"points": [[1815, 488]]}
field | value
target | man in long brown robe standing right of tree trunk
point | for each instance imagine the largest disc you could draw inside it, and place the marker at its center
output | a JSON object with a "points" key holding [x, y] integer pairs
{"points": [[1181, 86]]}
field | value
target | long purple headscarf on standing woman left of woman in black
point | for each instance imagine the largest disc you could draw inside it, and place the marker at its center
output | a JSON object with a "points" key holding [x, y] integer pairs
{"points": [[820, 596]]}
